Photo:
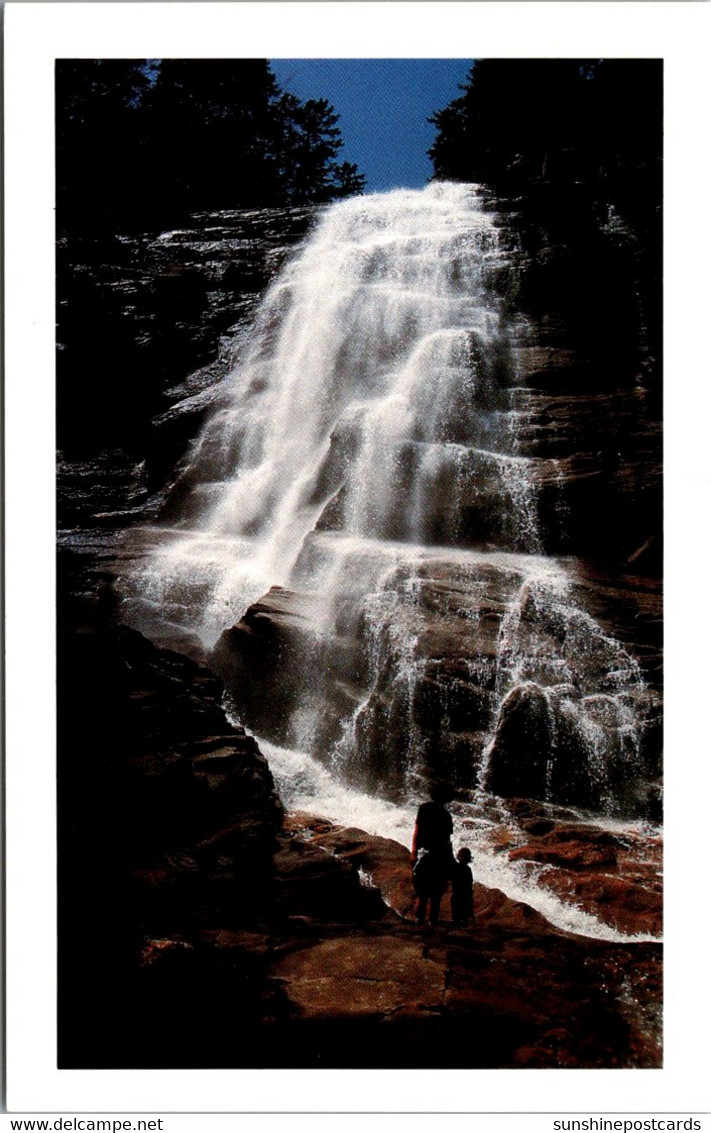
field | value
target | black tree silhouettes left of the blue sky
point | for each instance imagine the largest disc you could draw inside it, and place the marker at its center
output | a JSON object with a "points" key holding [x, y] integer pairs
{"points": [[141, 142]]}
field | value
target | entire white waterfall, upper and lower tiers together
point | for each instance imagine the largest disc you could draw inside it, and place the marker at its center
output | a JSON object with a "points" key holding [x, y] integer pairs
{"points": [[365, 454]]}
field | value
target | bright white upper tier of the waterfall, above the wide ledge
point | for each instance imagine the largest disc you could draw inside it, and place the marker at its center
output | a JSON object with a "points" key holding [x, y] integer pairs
{"points": [[369, 401]]}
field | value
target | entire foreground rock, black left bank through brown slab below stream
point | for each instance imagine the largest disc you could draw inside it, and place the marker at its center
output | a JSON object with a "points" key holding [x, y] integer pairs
{"points": [[215, 932]]}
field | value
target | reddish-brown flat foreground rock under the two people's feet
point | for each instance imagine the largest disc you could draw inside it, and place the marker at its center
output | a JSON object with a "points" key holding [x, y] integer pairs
{"points": [[345, 979]]}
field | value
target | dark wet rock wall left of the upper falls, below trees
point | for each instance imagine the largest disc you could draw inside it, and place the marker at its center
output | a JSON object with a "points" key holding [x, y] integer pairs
{"points": [[162, 300]]}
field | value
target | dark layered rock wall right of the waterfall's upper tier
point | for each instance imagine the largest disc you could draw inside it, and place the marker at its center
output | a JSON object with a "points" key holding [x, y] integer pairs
{"points": [[582, 288]]}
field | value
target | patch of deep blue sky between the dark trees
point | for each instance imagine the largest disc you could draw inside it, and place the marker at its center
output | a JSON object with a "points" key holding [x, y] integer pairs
{"points": [[384, 106]]}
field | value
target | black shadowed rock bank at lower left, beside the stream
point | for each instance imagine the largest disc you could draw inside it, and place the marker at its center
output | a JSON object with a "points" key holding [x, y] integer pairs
{"points": [[159, 849]]}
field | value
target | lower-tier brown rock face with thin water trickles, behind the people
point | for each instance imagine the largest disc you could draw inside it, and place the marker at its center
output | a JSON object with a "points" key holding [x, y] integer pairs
{"points": [[489, 674]]}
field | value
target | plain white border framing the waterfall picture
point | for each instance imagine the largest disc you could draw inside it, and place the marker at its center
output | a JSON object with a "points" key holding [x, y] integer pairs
{"points": [[36, 36]]}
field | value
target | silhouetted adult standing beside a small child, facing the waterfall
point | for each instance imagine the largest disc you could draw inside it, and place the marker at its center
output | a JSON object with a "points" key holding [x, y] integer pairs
{"points": [[432, 855]]}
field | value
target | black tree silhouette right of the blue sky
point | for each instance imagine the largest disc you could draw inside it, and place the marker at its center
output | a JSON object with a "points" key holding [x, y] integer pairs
{"points": [[592, 123]]}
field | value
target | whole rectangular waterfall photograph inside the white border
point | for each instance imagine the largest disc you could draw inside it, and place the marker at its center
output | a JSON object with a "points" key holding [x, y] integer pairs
{"points": [[359, 561]]}
